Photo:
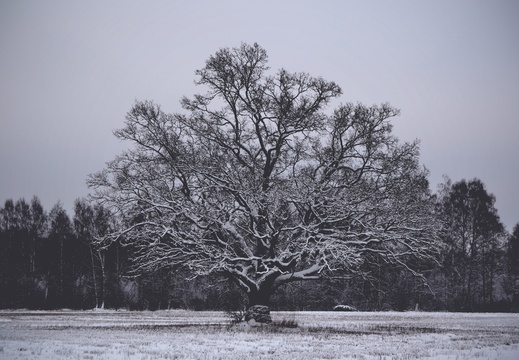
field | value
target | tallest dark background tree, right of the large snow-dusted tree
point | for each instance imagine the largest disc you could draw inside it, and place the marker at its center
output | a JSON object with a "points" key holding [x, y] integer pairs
{"points": [[474, 235]]}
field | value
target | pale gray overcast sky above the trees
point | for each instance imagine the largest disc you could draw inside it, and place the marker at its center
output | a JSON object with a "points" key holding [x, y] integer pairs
{"points": [[70, 70]]}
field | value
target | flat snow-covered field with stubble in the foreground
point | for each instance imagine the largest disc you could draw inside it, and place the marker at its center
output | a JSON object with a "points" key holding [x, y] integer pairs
{"points": [[207, 335]]}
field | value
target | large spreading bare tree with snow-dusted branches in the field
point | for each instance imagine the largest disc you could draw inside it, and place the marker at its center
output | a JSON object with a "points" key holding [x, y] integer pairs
{"points": [[254, 181]]}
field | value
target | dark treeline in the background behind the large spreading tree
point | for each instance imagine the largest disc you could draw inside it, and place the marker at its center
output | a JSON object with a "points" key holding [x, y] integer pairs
{"points": [[49, 260]]}
